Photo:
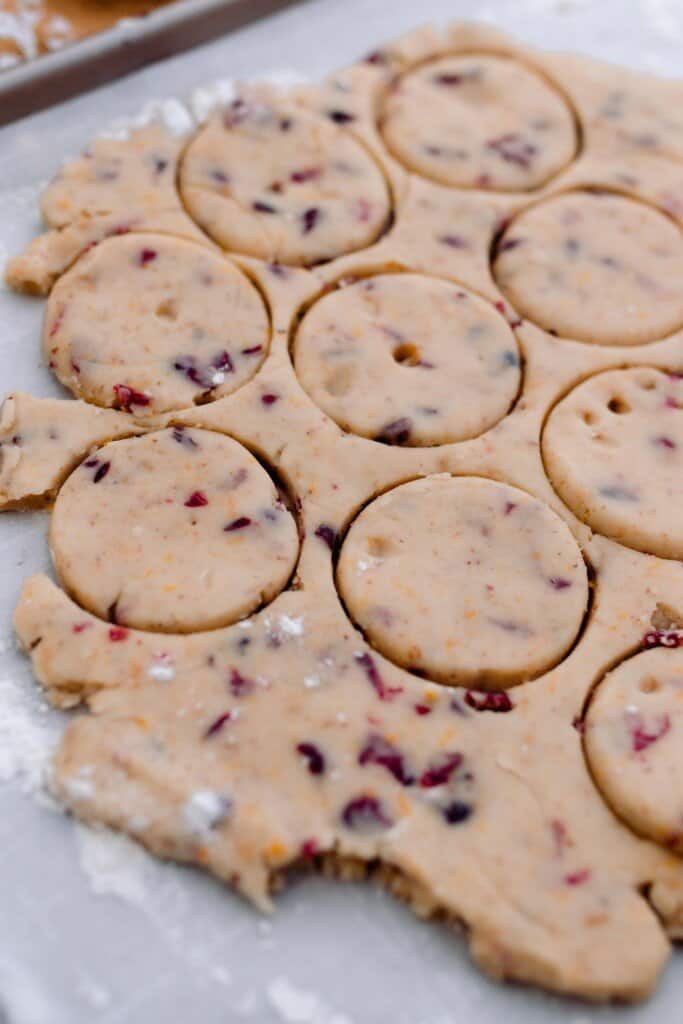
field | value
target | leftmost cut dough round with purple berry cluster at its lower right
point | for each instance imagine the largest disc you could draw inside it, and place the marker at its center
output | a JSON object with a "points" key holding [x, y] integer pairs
{"points": [[149, 323]]}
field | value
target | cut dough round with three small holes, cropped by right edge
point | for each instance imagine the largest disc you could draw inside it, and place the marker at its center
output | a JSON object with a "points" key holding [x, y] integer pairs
{"points": [[614, 452]]}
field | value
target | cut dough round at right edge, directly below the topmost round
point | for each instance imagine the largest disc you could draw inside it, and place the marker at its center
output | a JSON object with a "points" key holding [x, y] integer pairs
{"points": [[594, 268]]}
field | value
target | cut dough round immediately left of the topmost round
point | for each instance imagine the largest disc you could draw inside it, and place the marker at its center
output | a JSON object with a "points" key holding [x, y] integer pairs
{"points": [[283, 185]]}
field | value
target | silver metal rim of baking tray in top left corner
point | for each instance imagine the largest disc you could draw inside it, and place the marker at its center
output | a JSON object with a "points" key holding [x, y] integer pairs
{"points": [[134, 44]]}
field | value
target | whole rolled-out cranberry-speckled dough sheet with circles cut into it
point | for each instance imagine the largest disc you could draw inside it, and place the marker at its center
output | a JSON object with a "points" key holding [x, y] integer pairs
{"points": [[367, 521]]}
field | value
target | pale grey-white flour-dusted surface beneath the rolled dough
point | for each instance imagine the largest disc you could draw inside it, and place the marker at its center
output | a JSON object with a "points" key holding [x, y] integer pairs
{"points": [[93, 931]]}
